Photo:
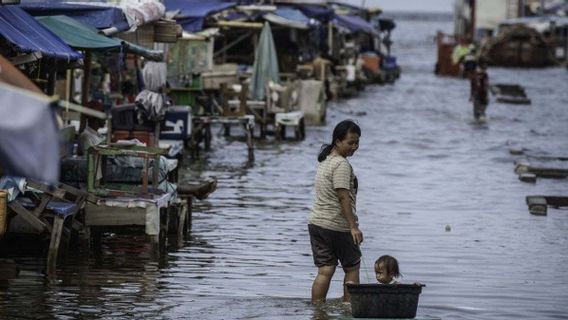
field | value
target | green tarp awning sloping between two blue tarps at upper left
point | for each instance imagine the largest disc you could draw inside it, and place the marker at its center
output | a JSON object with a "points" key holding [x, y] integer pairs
{"points": [[81, 36]]}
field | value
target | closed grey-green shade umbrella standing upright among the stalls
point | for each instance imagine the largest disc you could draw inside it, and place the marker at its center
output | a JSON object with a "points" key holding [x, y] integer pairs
{"points": [[265, 67]]}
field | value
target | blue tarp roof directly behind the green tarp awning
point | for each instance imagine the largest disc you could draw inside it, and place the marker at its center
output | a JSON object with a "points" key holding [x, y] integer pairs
{"points": [[100, 17]]}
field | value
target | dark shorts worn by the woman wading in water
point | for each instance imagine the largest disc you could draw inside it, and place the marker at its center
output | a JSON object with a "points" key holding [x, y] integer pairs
{"points": [[329, 246]]}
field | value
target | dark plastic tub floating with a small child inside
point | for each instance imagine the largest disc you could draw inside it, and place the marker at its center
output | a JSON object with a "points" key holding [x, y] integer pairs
{"points": [[384, 301]]}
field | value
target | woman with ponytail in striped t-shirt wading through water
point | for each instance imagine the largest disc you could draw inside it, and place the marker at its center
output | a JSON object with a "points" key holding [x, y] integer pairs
{"points": [[333, 224]]}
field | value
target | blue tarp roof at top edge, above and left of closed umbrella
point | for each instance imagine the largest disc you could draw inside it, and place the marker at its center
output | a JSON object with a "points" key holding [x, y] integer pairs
{"points": [[194, 12]]}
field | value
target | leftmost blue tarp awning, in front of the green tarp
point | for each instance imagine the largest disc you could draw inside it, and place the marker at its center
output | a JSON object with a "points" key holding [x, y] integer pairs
{"points": [[28, 35]]}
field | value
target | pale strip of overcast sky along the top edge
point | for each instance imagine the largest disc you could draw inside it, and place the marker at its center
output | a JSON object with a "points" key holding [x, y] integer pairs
{"points": [[407, 5]]}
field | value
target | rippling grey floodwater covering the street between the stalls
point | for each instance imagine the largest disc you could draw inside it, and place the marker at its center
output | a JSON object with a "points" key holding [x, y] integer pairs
{"points": [[423, 164]]}
